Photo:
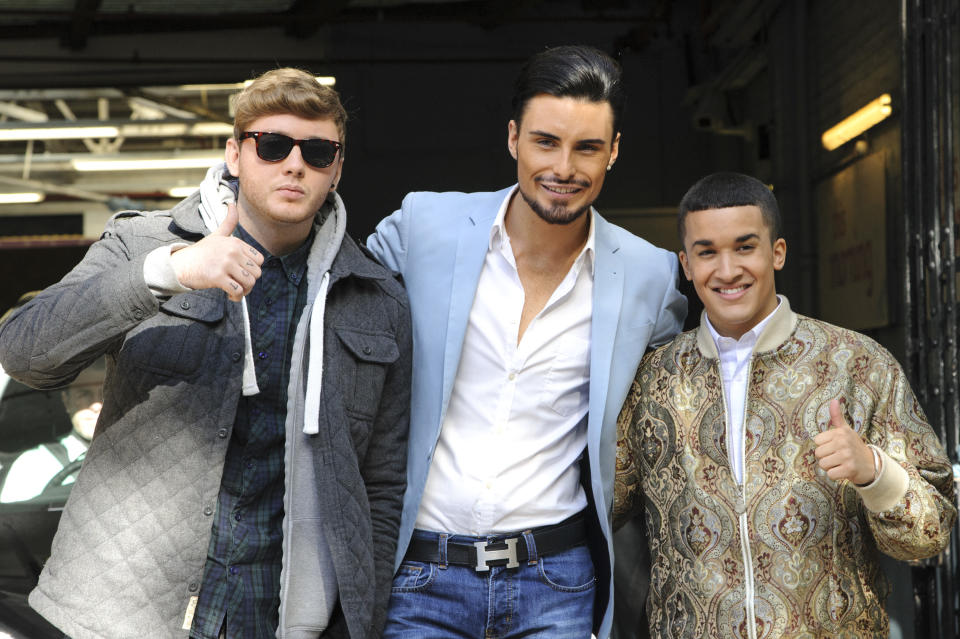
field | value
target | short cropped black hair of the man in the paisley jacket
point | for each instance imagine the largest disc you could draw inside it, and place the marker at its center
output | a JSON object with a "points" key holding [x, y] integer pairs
{"points": [[723, 190]]}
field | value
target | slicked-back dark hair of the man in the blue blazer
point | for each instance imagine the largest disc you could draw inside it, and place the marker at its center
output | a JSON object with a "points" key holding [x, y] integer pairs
{"points": [[572, 71]]}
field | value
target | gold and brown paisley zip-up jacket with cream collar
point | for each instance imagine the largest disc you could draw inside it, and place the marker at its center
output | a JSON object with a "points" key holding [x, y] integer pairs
{"points": [[789, 552]]}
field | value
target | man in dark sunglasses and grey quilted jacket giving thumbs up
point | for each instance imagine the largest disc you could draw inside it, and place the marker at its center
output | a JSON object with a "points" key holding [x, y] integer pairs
{"points": [[247, 472]]}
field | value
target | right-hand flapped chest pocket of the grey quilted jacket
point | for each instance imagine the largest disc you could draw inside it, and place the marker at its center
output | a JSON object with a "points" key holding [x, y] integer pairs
{"points": [[364, 371]]}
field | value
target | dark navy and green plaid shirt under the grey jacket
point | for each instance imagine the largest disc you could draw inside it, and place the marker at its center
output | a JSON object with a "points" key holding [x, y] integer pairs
{"points": [[241, 580]]}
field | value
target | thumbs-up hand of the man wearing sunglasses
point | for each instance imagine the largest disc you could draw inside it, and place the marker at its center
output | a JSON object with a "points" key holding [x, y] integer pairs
{"points": [[219, 261]]}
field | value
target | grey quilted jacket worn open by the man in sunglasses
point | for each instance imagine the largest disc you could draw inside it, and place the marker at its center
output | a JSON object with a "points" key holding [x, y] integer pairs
{"points": [[128, 557]]}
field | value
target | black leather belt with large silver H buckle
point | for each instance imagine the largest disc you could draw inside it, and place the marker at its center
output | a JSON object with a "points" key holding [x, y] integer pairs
{"points": [[505, 551]]}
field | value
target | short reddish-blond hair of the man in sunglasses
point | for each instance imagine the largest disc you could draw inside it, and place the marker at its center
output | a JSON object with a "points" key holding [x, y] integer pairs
{"points": [[288, 90]]}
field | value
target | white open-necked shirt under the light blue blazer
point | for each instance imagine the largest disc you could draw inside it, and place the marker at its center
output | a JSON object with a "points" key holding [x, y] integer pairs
{"points": [[508, 454]]}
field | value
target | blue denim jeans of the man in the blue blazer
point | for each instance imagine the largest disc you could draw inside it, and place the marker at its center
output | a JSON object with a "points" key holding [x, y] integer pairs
{"points": [[547, 597]]}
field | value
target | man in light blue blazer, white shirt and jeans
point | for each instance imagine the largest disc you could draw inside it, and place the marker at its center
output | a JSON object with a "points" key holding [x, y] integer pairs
{"points": [[531, 313]]}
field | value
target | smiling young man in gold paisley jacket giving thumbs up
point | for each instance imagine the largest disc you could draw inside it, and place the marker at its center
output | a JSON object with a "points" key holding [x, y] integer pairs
{"points": [[776, 455]]}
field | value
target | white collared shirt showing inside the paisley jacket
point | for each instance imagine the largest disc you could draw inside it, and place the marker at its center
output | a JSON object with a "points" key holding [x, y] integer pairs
{"points": [[734, 369]]}
